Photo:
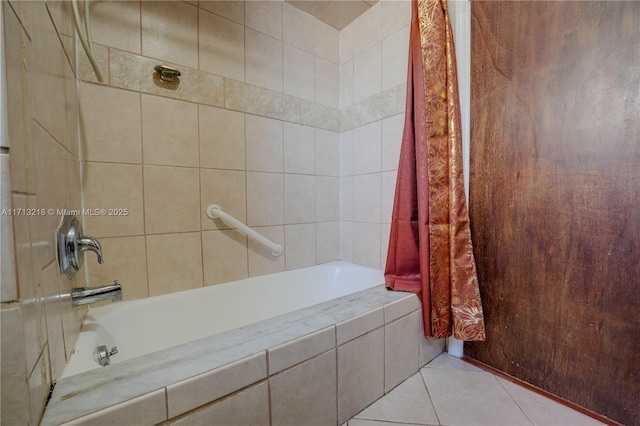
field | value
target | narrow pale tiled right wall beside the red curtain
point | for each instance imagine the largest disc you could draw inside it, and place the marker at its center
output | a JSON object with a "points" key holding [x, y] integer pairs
{"points": [[373, 65]]}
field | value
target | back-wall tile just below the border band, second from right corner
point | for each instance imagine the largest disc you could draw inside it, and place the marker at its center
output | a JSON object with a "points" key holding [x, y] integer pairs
{"points": [[299, 149]]}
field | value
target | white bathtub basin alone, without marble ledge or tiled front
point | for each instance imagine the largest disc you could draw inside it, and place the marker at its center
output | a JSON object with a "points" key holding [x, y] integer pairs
{"points": [[144, 326]]}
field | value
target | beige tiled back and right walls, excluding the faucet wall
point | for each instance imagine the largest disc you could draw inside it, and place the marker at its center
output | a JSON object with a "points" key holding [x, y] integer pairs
{"points": [[274, 113]]}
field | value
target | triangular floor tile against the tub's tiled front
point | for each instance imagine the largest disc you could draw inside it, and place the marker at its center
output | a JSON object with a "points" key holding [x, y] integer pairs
{"points": [[407, 403]]}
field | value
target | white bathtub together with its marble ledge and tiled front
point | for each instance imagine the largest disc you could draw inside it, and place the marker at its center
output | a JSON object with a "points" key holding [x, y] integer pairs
{"points": [[253, 344]]}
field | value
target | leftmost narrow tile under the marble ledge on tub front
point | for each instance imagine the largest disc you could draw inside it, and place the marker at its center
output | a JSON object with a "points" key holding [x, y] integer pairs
{"points": [[146, 409]]}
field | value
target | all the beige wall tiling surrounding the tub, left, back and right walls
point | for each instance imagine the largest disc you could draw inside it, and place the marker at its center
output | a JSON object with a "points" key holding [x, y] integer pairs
{"points": [[287, 123]]}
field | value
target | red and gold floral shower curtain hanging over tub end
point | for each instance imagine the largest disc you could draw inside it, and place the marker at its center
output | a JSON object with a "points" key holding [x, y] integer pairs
{"points": [[430, 251]]}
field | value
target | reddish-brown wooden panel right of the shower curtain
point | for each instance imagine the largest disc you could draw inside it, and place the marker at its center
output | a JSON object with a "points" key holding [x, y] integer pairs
{"points": [[555, 196]]}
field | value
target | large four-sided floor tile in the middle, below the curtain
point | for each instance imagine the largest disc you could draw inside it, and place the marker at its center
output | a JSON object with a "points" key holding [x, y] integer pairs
{"points": [[471, 398]]}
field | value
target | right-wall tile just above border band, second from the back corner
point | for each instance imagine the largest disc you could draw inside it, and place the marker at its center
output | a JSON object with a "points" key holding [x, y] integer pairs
{"points": [[367, 73]]}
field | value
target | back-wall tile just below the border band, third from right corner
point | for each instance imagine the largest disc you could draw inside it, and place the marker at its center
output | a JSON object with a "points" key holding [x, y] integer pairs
{"points": [[264, 144]]}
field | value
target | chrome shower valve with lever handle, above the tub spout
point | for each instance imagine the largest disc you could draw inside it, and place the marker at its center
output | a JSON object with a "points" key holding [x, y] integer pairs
{"points": [[71, 243]]}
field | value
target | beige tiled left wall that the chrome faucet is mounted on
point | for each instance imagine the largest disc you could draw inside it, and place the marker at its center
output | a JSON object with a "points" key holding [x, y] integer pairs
{"points": [[40, 168]]}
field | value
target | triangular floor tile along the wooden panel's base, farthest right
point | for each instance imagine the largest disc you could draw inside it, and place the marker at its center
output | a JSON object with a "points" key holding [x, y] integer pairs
{"points": [[543, 411]]}
